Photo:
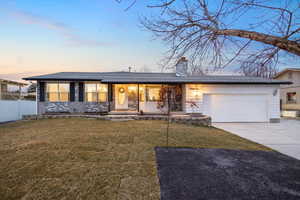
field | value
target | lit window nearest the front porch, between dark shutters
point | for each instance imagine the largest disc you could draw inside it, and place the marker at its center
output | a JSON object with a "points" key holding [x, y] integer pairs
{"points": [[95, 92]]}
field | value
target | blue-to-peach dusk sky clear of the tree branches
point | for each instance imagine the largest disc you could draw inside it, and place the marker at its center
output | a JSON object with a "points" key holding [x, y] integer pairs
{"points": [[39, 37]]}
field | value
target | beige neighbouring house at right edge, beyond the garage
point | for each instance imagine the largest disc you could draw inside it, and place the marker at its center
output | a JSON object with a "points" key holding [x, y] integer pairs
{"points": [[290, 94]]}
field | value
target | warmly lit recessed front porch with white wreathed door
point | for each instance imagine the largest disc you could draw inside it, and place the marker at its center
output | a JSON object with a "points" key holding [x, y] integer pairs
{"points": [[144, 98]]}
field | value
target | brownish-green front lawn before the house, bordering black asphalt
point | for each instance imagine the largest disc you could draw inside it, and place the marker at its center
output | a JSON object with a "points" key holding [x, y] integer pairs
{"points": [[94, 159]]}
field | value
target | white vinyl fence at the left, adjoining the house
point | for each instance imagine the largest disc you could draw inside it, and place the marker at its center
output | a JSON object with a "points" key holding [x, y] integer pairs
{"points": [[14, 110]]}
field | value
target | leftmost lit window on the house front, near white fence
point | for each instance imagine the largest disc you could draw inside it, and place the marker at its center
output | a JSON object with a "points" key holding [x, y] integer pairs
{"points": [[58, 92]]}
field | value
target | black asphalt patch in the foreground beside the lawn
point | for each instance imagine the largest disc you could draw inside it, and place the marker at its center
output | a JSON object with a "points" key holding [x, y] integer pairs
{"points": [[223, 174]]}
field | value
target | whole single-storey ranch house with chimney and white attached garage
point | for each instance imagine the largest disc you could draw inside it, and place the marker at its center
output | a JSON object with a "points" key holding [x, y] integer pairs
{"points": [[224, 98]]}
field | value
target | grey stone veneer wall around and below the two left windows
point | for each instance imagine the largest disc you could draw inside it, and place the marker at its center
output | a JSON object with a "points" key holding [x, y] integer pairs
{"points": [[70, 107]]}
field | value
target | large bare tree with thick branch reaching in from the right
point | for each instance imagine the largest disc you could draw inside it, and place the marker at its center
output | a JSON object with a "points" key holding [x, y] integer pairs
{"points": [[251, 34]]}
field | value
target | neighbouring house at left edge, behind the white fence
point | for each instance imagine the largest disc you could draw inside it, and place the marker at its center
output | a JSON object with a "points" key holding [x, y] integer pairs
{"points": [[10, 90]]}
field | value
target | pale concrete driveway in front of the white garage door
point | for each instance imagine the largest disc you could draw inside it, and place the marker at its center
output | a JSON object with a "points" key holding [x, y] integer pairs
{"points": [[283, 137]]}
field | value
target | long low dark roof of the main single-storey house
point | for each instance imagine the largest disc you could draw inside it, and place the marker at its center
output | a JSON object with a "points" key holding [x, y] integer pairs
{"points": [[140, 77]]}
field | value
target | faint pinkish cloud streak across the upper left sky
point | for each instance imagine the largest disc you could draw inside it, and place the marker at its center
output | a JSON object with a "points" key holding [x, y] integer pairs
{"points": [[66, 32]]}
